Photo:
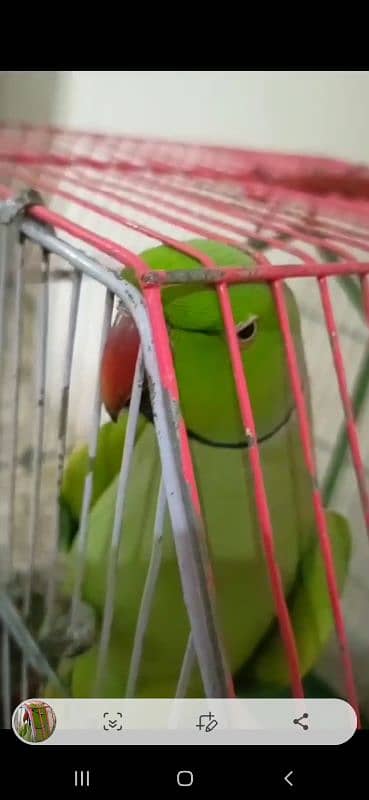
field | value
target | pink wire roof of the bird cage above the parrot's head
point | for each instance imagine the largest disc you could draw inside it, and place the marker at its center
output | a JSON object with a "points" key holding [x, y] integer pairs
{"points": [[298, 198]]}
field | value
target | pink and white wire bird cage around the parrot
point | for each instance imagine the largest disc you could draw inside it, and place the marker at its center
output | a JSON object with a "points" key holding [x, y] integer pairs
{"points": [[76, 211]]}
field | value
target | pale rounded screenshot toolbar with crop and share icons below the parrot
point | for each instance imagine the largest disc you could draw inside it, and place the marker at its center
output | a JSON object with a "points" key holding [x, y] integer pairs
{"points": [[197, 722]]}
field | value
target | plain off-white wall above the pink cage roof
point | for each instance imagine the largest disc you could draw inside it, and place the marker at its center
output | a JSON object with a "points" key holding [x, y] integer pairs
{"points": [[314, 111]]}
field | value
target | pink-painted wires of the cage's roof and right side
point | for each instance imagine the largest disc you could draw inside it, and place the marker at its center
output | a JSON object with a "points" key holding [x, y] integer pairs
{"points": [[292, 196]]}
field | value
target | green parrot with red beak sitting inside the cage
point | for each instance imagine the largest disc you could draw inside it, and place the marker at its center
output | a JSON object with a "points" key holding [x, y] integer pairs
{"points": [[219, 450]]}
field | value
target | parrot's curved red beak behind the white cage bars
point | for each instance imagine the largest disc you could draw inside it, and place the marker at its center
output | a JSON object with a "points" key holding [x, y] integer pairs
{"points": [[118, 364]]}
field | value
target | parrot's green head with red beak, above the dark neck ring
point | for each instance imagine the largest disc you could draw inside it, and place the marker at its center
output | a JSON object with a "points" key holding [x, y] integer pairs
{"points": [[208, 395]]}
